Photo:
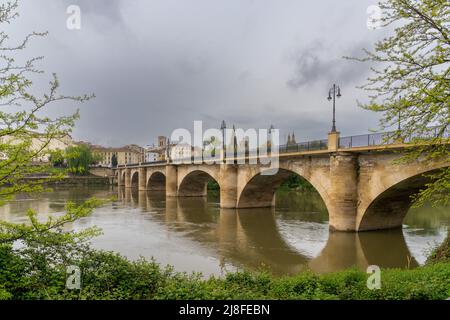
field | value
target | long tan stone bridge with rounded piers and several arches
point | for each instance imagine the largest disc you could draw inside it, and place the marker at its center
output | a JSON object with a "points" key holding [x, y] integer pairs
{"points": [[363, 188]]}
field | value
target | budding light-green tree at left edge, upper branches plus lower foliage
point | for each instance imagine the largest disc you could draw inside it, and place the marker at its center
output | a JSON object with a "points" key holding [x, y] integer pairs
{"points": [[26, 133]]}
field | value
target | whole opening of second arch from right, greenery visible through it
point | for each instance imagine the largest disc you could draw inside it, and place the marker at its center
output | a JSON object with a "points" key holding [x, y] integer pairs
{"points": [[263, 191]]}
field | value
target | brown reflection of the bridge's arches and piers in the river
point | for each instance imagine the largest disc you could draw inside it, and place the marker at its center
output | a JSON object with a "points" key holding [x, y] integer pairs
{"points": [[254, 238]]}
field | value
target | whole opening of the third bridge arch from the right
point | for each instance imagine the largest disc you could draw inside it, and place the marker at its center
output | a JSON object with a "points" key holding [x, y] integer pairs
{"points": [[198, 184]]}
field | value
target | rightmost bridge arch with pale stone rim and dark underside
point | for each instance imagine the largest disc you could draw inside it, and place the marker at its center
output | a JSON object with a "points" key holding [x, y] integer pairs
{"points": [[386, 206]]}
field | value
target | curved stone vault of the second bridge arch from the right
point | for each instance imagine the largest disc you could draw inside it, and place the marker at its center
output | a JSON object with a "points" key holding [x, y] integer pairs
{"points": [[259, 190]]}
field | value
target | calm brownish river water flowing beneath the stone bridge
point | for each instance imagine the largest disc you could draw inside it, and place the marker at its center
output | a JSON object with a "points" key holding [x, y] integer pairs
{"points": [[194, 234]]}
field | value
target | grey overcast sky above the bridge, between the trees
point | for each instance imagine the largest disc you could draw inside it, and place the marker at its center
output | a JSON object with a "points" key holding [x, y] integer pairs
{"points": [[158, 65]]}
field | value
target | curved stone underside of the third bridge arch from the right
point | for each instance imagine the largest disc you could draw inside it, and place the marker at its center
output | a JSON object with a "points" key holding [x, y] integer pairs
{"points": [[195, 182]]}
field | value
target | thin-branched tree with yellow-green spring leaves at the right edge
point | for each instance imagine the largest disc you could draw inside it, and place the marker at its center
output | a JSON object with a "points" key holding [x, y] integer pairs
{"points": [[410, 84]]}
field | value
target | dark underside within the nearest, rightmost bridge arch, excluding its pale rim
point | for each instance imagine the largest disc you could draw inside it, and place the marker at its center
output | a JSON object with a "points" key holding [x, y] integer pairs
{"points": [[389, 209]]}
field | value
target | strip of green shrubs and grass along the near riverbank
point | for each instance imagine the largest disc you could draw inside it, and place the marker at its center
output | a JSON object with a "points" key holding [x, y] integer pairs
{"points": [[107, 275]]}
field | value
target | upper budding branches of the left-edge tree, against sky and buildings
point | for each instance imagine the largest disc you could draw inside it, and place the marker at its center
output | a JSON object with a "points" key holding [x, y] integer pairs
{"points": [[25, 131]]}
